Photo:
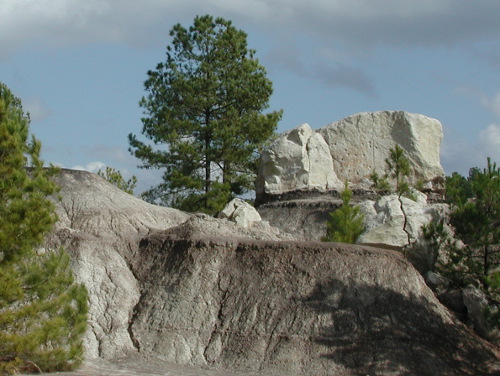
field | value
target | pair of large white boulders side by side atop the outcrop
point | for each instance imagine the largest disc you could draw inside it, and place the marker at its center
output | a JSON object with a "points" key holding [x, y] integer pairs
{"points": [[351, 149]]}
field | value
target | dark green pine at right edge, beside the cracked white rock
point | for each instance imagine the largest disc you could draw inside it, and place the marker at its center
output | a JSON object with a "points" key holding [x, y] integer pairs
{"points": [[475, 217]]}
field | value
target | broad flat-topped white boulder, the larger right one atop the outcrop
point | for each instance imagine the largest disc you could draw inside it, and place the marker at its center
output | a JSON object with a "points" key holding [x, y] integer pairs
{"points": [[359, 144]]}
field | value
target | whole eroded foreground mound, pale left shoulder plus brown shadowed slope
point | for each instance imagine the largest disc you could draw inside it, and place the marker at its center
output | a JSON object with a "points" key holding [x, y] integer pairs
{"points": [[203, 291]]}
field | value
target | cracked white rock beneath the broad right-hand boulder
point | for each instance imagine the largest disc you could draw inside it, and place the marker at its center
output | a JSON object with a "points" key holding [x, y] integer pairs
{"points": [[385, 220]]}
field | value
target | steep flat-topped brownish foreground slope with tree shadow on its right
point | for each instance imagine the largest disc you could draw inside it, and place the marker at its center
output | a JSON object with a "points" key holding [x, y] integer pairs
{"points": [[296, 309]]}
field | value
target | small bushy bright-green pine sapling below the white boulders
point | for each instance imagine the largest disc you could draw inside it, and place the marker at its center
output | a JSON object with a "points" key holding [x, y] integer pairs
{"points": [[345, 224]]}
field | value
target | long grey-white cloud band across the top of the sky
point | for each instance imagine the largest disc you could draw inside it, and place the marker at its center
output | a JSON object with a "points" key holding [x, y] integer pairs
{"points": [[334, 30]]}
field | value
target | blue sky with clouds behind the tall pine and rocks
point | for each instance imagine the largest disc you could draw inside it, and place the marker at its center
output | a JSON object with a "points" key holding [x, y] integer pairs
{"points": [[79, 67]]}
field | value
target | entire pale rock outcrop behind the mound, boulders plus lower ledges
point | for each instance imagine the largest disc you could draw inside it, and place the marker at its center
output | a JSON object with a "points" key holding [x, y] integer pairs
{"points": [[291, 200]]}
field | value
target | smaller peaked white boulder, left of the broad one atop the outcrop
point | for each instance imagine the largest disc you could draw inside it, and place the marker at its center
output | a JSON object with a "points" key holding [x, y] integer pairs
{"points": [[298, 160]]}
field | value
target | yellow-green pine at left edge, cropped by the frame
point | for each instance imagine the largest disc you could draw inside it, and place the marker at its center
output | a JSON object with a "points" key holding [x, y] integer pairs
{"points": [[42, 310]]}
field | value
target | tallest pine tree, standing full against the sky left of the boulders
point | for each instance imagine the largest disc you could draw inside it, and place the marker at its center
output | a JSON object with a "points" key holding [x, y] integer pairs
{"points": [[205, 106]]}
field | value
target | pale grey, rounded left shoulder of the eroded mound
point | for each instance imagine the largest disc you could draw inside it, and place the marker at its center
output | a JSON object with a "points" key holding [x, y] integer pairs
{"points": [[101, 227]]}
